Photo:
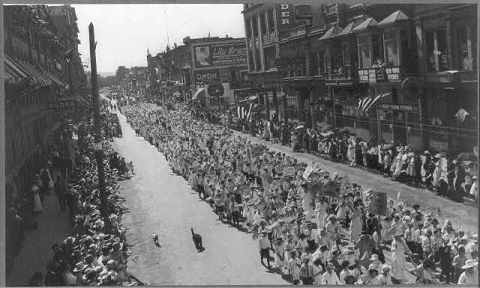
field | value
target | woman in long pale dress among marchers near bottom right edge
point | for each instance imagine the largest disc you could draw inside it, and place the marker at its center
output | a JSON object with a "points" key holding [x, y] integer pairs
{"points": [[398, 261]]}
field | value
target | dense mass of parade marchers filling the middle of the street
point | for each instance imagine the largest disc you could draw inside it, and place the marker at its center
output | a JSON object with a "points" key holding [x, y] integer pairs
{"points": [[321, 236]]}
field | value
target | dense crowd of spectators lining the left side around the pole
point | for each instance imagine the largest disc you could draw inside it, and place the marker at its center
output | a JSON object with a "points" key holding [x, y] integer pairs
{"points": [[96, 251]]}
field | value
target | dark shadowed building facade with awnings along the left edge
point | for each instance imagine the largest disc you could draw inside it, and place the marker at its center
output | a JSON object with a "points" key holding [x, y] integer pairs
{"points": [[43, 78]]}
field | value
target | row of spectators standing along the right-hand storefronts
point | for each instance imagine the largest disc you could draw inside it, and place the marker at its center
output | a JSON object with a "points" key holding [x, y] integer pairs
{"points": [[452, 176]]}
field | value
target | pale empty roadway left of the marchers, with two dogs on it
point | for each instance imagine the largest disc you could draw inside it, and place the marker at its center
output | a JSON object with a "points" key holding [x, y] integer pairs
{"points": [[163, 203]]}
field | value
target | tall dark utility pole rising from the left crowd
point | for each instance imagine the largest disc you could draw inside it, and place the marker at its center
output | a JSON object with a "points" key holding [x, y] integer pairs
{"points": [[96, 109]]}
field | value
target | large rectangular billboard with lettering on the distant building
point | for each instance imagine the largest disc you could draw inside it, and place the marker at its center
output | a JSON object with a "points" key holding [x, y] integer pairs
{"points": [[221, 54]]}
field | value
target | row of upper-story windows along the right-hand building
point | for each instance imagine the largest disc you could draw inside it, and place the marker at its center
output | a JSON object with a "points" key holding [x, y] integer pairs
{"points": [[393, 47]]}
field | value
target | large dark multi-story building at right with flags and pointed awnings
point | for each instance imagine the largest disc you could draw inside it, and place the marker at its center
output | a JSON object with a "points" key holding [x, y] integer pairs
{"points": [[395, 73]]}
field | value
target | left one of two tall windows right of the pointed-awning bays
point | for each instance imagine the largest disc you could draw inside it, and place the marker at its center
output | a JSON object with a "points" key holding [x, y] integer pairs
{"points": [[436, 44]]}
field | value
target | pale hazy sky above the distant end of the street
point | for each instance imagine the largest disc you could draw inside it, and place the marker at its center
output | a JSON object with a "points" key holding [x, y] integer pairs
{"points": [[124, 32]]}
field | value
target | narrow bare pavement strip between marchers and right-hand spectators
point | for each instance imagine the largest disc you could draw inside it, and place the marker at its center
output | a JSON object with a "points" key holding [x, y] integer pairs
{"points": [[463, 216]]}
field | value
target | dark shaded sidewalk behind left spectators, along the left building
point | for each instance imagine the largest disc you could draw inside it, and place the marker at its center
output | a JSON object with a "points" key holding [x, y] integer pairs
{"points": [[53, 226]]}
